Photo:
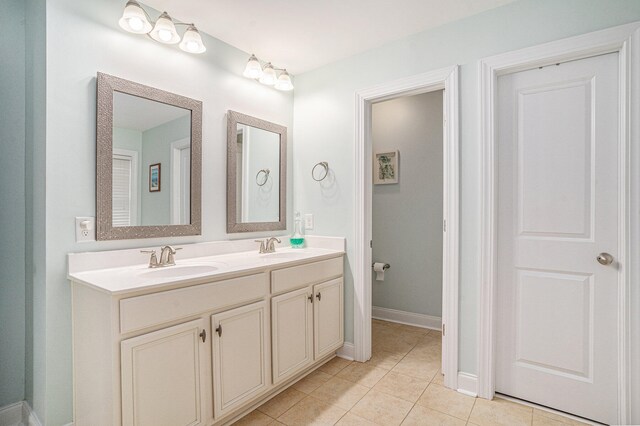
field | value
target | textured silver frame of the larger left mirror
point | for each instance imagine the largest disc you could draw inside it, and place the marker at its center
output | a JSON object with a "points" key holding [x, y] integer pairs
{"points": [[106, 86]]}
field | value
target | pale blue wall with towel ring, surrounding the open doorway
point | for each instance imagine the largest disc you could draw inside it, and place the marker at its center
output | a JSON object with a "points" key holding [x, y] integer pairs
{"points": [[324, 119]]}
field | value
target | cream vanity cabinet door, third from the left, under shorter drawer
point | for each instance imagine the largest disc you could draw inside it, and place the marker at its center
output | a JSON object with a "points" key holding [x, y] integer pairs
{"points": [[291, 324]]}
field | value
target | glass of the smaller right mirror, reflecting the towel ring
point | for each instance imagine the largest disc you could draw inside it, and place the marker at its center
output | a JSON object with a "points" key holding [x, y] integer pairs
{"points": [[258, 172]]}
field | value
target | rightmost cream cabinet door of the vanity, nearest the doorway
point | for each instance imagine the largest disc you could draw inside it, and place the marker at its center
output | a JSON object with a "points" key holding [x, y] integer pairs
{"points": [[328, 322]]}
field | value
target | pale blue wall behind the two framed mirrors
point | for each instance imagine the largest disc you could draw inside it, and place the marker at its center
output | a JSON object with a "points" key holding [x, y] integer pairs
{"points": [[97, 43]]}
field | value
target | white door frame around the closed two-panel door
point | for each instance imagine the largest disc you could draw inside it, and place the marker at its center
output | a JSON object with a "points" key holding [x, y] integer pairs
{"points": [[625, 40]]}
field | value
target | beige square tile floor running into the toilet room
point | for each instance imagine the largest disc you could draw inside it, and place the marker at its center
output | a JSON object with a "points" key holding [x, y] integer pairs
{"points": [[401, 384]]}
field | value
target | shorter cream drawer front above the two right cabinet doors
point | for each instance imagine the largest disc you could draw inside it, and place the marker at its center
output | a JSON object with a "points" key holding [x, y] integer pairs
{"points": [[303, 275]]}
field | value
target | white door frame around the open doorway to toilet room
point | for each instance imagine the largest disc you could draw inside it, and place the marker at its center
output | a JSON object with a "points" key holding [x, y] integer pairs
{"points": [[447, 79]]}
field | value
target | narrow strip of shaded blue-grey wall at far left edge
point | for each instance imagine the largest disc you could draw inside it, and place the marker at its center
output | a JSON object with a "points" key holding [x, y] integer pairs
{"points": [[12, 202]]}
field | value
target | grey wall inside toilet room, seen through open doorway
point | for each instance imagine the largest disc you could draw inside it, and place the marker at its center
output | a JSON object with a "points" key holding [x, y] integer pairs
{"points": [[407, 216]]}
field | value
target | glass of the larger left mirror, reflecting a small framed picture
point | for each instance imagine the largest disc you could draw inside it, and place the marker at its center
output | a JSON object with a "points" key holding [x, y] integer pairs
{"points": [[148, 133]]}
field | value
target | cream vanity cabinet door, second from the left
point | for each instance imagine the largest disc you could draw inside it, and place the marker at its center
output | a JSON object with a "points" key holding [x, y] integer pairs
{"points": [[240, 356]]}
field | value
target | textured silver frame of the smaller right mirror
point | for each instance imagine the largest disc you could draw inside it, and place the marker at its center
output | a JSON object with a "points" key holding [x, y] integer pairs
{"points": [[233, 119]]}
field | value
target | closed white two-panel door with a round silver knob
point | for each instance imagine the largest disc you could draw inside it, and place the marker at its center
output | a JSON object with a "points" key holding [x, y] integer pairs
{"points": [[557, 211]]}
